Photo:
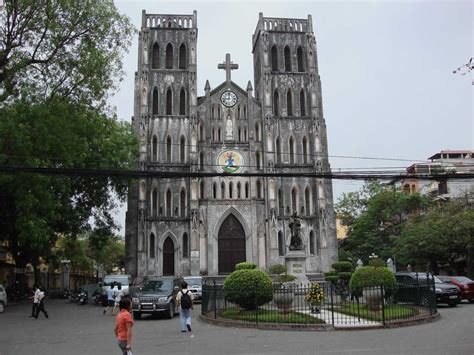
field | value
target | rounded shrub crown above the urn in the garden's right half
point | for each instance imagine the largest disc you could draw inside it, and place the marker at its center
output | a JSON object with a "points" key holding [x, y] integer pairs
{"points": [[373, 276]]}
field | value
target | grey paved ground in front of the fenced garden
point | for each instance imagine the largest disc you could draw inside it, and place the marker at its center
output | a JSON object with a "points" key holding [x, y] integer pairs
{"points": [[74, 329]]}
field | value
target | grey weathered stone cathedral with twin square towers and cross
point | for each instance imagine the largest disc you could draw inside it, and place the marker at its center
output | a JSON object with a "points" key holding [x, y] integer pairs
{"points": [[238, 154]]}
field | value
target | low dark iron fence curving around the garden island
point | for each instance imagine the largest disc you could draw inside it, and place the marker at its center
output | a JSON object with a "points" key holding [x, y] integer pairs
{"points": [[288, 304]]}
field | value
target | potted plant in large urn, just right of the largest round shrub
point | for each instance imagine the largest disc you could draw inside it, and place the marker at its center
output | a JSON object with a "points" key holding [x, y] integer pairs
{"points": [[283, 293]]}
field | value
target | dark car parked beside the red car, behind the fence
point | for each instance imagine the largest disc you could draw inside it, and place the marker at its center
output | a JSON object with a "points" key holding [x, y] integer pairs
{"points": [[409, 289]]}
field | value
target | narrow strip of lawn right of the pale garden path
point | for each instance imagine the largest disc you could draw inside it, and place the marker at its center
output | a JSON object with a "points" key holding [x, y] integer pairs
{"points": [[392, 311]]}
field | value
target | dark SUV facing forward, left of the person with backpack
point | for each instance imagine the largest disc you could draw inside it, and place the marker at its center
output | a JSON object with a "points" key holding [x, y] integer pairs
{"points": [[157, 296]]}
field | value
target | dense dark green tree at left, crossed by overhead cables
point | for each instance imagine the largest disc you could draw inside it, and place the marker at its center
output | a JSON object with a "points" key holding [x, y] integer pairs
{"points": [[36, 209]]}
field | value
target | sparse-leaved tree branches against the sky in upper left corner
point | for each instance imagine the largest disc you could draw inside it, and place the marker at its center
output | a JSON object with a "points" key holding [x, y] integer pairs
{"points": [[56, 48]]}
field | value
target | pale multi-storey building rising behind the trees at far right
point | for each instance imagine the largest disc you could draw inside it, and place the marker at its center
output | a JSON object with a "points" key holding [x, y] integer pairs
{"points": [[458, 161]]}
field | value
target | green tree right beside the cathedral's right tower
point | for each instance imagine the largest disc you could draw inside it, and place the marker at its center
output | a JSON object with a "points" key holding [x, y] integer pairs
{"points": [[376, 218]]}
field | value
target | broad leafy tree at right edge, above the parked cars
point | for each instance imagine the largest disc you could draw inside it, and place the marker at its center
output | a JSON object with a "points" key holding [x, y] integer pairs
{"points": [[445, 233]]}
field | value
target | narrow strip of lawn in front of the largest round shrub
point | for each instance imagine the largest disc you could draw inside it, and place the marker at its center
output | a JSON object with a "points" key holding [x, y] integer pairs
{"points": [[265, 316]]}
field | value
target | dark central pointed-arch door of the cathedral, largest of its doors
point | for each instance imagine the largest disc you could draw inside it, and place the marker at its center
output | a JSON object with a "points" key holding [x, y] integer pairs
{"points": [[231, 244]]}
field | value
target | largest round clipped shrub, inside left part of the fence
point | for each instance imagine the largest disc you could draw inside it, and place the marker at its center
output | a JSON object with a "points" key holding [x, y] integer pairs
{"points": [[248, 288]]}
